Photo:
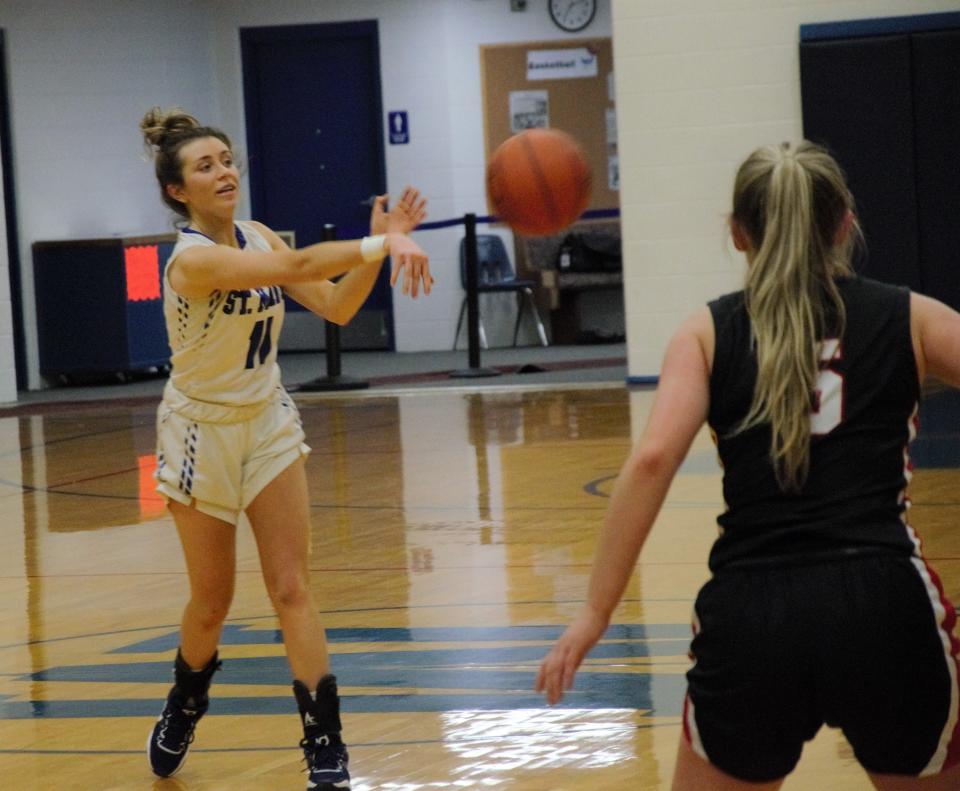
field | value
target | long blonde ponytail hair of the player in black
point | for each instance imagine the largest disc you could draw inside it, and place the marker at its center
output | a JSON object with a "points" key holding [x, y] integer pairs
{"points": [[791, 202]]}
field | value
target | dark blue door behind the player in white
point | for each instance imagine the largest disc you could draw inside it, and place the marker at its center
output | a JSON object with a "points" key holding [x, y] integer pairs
{"points": [[315, 137]]}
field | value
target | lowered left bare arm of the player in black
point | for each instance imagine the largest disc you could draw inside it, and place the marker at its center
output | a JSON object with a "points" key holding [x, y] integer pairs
{"points": [[679, 410]]}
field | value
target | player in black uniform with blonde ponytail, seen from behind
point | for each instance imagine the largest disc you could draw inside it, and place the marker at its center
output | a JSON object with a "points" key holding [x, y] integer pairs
{"points": [[821, 608]]}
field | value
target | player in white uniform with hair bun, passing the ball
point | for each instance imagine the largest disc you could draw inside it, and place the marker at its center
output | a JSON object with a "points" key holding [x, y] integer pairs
{"points": [[229, 437]]}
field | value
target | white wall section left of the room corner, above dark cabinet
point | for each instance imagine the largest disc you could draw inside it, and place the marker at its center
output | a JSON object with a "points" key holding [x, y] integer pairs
{"points": [[81, 74]]}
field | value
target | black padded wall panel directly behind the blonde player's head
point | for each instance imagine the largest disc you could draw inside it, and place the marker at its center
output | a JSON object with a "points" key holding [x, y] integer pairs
{"points": [[856, 97]]}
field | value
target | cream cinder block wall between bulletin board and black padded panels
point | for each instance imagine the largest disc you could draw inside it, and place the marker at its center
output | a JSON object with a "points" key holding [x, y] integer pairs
{"points": [[700, 84]]}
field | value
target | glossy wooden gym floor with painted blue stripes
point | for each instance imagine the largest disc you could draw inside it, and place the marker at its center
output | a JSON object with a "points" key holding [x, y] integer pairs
{"points": [[452, 537]]}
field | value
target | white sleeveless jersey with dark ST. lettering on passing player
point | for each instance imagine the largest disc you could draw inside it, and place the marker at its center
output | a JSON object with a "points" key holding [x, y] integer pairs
{"points": [[224, 346]]}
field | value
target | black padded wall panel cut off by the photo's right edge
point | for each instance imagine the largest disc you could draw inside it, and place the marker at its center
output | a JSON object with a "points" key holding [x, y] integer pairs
{"points": [[936, 103]]}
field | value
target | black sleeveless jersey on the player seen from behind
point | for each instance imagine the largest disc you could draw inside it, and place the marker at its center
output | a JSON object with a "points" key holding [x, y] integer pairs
{"points": [[864, 416]]}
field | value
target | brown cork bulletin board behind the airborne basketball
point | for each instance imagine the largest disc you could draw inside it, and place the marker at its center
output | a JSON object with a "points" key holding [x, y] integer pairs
{"points": [[582, 106]]}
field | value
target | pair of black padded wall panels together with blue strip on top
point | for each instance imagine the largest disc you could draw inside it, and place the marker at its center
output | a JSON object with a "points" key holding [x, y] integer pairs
{"points": [[881, 95]]}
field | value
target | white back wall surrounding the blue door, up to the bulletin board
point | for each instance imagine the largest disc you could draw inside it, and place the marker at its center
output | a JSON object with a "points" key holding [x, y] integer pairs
{"points": [[82, 72]]}
